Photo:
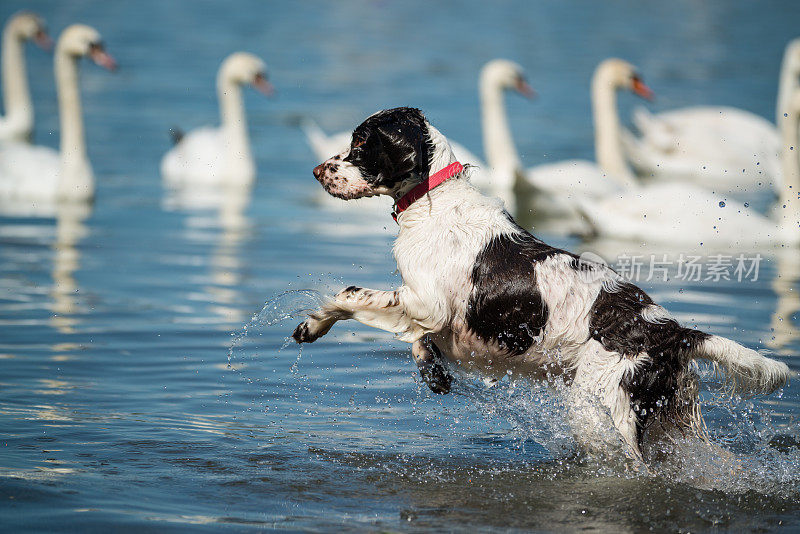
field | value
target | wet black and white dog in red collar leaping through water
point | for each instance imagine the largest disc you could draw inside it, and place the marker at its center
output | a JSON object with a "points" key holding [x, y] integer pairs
{"points": [[480, 291]]}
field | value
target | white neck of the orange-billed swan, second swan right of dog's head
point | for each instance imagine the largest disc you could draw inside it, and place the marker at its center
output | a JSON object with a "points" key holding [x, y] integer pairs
{"points": [[608, 132]]}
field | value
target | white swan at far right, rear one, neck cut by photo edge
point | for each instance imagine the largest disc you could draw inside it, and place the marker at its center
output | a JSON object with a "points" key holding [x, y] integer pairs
{"points": [[724, 148]]}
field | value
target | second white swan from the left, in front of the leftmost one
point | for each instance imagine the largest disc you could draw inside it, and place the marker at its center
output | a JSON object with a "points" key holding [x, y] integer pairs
{"points": [[38, 174]]}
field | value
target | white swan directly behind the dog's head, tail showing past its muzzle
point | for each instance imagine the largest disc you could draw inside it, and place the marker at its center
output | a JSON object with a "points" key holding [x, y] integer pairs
{"points": [[498, 176]]}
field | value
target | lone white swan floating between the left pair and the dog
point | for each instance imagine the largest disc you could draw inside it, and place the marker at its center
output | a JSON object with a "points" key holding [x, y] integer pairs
{"points": [[220, 156]]}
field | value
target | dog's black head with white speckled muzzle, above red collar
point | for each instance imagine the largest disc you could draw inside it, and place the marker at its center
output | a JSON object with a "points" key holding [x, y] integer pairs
{"points": [[389, 153]]}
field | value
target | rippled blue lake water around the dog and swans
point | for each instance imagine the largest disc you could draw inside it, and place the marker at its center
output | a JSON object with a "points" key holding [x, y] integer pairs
{"points": [[119, 406]]}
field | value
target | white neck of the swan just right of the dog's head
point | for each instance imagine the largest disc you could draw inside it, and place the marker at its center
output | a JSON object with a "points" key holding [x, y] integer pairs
{"points": [[498, 143]]}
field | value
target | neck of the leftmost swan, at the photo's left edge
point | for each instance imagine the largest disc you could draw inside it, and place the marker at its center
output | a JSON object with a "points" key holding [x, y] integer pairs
{"points": [[16, 96]]}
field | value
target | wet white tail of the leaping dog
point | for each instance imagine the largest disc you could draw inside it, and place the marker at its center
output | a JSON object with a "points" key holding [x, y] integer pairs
{"points": [[745, 370]]}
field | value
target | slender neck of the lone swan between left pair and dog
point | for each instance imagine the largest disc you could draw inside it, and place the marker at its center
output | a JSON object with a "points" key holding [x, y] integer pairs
{"points": [[234, 126]]}
